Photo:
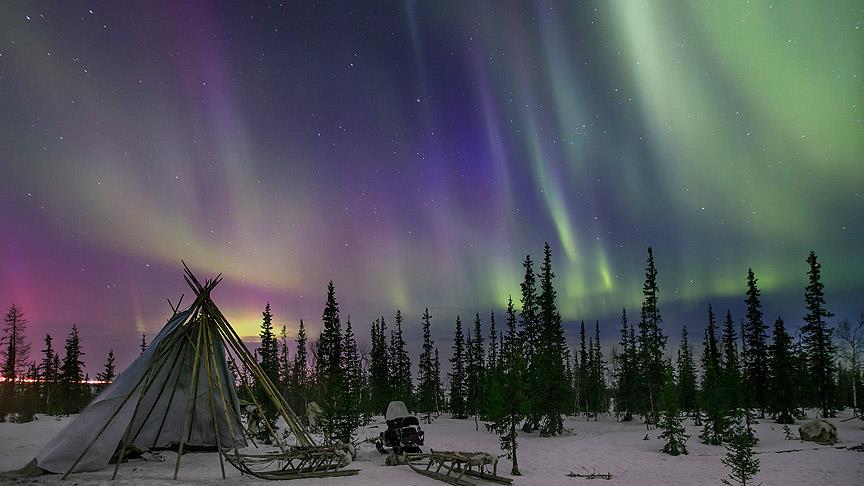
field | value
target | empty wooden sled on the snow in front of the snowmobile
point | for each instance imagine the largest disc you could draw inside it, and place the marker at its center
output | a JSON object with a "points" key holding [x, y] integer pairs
{"points": [[452, 467]]}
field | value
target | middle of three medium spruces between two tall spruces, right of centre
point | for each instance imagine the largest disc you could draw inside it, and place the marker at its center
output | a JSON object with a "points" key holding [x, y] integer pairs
{"points": [[715, 425]]}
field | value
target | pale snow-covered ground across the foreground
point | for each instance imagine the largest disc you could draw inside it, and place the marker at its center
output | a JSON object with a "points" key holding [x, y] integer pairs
{"points": [[604, 446]]}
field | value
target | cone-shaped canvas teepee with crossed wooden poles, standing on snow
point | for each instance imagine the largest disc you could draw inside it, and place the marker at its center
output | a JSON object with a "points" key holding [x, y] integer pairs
{"points": [[180, 394]]}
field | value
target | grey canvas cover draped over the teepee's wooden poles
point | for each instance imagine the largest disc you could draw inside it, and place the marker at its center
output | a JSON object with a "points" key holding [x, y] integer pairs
{"points": [[161, 410]]}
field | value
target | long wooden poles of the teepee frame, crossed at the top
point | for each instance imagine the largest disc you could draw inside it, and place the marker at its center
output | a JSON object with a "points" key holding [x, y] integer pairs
{"points": [[202, 322]]}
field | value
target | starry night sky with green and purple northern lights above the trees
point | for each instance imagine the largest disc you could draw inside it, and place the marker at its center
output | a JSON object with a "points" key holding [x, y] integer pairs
{"points": [[415, 152]]}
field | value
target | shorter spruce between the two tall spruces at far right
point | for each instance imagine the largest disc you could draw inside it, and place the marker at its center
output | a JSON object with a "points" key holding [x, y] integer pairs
{"points": [[782, 378]]}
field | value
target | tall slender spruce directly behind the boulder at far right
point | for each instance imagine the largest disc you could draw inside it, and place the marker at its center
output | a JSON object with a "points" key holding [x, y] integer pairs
{"points": [[816, 336]]}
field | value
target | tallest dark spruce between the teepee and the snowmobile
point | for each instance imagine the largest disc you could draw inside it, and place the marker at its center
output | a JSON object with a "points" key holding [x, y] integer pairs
{"points": [[328, 370]]}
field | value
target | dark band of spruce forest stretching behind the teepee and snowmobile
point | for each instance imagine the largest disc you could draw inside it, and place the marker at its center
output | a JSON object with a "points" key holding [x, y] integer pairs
{"points": [[522, 376]]}
